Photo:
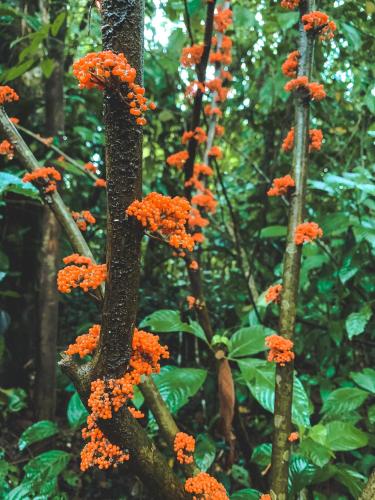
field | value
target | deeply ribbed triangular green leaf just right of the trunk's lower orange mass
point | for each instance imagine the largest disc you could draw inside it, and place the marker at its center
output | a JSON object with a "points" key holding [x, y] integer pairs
{"points": [[177, 385]]}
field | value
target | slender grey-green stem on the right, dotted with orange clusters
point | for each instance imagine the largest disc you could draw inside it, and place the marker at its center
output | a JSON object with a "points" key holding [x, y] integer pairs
{"points": [[291, 270]]}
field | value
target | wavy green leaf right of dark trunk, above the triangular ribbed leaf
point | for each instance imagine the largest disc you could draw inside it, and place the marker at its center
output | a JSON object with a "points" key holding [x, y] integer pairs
{"points": [[168, 320]]}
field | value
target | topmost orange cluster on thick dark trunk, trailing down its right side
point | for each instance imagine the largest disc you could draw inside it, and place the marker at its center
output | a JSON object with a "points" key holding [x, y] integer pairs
{"points": [[108, 69]]}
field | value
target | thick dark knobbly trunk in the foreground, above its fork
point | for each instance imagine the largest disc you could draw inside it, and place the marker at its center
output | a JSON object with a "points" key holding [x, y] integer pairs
{"points": [[122, 29]]}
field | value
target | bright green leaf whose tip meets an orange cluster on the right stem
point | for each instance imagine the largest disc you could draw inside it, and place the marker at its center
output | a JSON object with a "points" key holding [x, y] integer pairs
{"points": [[248, 340]]}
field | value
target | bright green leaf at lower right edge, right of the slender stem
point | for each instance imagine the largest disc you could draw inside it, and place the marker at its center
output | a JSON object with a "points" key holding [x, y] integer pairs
{"points": [[343, 436]]}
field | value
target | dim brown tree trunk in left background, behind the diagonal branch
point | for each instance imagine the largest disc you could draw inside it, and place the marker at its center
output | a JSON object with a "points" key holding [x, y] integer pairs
{"points": [[45, 382]]}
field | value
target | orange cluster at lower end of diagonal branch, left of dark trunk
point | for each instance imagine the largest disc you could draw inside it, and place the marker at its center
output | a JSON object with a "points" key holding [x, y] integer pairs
{"points": [[80, 272]]}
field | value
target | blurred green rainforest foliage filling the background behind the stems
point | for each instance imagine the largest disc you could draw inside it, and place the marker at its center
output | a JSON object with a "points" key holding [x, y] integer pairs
{"points": [[334, 409]]}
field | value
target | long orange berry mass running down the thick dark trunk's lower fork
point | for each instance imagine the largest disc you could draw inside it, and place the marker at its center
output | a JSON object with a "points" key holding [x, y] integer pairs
{"points": [[110, 395]]}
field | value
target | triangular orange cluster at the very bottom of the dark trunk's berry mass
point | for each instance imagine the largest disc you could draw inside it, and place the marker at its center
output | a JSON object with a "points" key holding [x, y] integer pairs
{"points": [[99, 451]]}
